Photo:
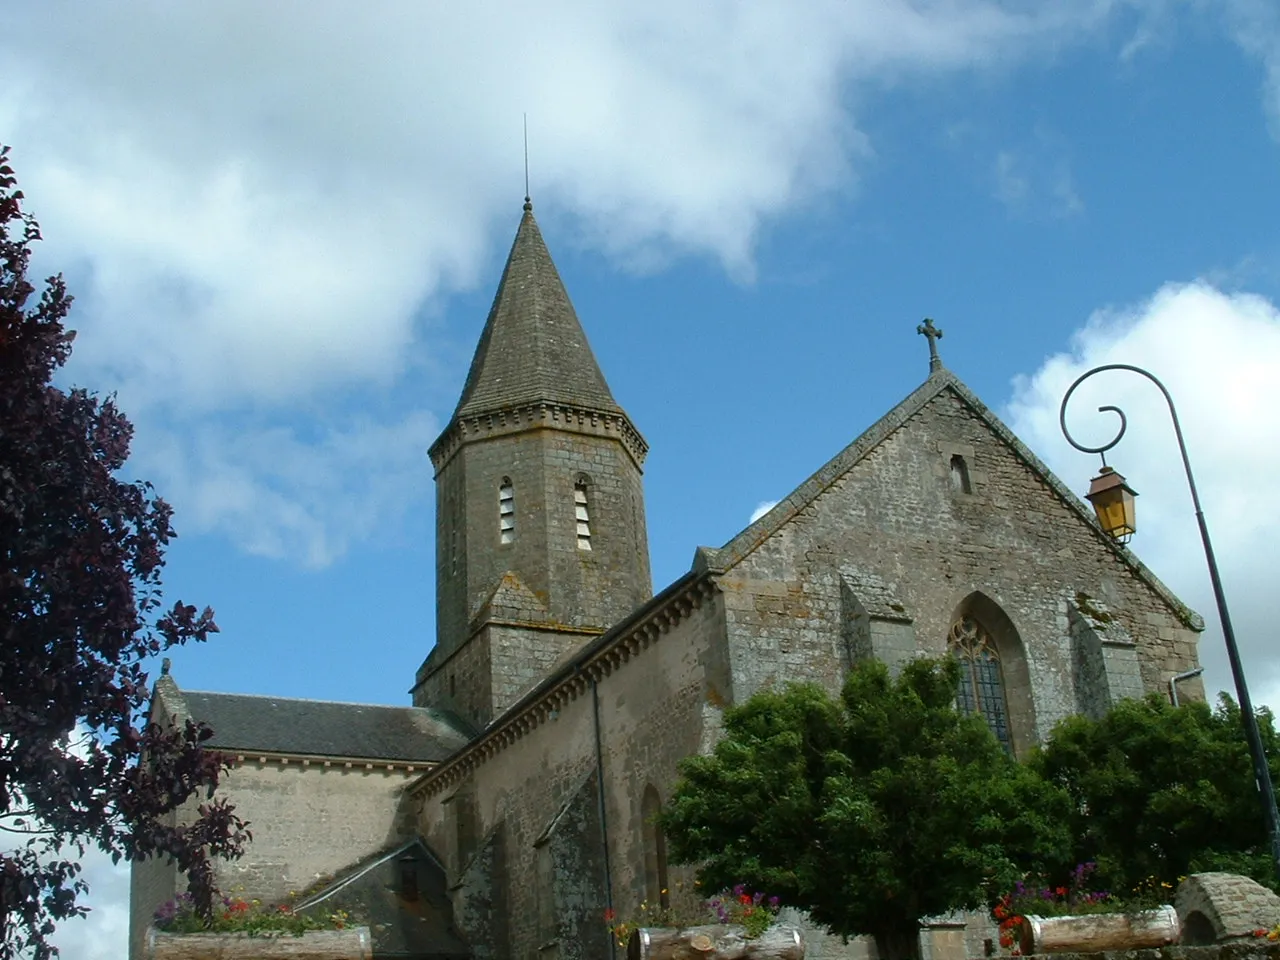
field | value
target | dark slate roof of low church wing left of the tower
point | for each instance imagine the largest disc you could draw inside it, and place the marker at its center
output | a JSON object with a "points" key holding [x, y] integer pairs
{"points": [[323, 728]]}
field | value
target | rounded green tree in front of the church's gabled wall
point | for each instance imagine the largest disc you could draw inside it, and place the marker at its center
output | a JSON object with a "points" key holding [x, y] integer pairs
{"points": [[871, 811]]}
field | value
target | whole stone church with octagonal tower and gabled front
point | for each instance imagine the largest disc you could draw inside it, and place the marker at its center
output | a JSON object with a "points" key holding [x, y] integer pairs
{"points": [[513, 803]]}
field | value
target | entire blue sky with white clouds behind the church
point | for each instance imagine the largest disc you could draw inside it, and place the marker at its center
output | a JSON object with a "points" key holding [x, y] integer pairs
{"points": [[285, 227]]}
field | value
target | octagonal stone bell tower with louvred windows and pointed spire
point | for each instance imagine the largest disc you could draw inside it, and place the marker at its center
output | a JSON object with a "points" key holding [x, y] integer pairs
{"points": [[541, 524]]}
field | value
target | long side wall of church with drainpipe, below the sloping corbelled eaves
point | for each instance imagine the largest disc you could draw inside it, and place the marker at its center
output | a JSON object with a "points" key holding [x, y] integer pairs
{"points": [[662, 706]]}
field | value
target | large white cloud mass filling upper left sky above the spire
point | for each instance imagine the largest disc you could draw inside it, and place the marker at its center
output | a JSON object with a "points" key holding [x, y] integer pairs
{"points": [[257, 202]]}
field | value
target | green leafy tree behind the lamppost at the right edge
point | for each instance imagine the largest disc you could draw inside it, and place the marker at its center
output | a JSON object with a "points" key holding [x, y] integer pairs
{"points": [[1162, 792]]}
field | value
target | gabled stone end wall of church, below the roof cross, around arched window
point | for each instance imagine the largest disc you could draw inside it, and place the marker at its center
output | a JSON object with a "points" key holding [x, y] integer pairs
{"points": [[899, 516]]}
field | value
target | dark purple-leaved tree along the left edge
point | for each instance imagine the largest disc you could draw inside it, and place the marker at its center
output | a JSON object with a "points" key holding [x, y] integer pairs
{"points": [[80, 612]]}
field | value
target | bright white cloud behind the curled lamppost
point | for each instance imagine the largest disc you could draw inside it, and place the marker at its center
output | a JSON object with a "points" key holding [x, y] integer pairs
{"points": [[1218, 354]]}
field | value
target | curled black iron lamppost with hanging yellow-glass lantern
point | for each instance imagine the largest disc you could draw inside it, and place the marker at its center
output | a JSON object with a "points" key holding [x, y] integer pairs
{"points": [[1113, 501]]}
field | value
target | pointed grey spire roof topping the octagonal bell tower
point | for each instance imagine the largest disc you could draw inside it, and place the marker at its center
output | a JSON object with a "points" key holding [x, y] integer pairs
{"points": [[533, 348]]}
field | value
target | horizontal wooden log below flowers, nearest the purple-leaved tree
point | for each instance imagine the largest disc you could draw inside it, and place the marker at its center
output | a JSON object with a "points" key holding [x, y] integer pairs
{"points": [[351, 944]]}
